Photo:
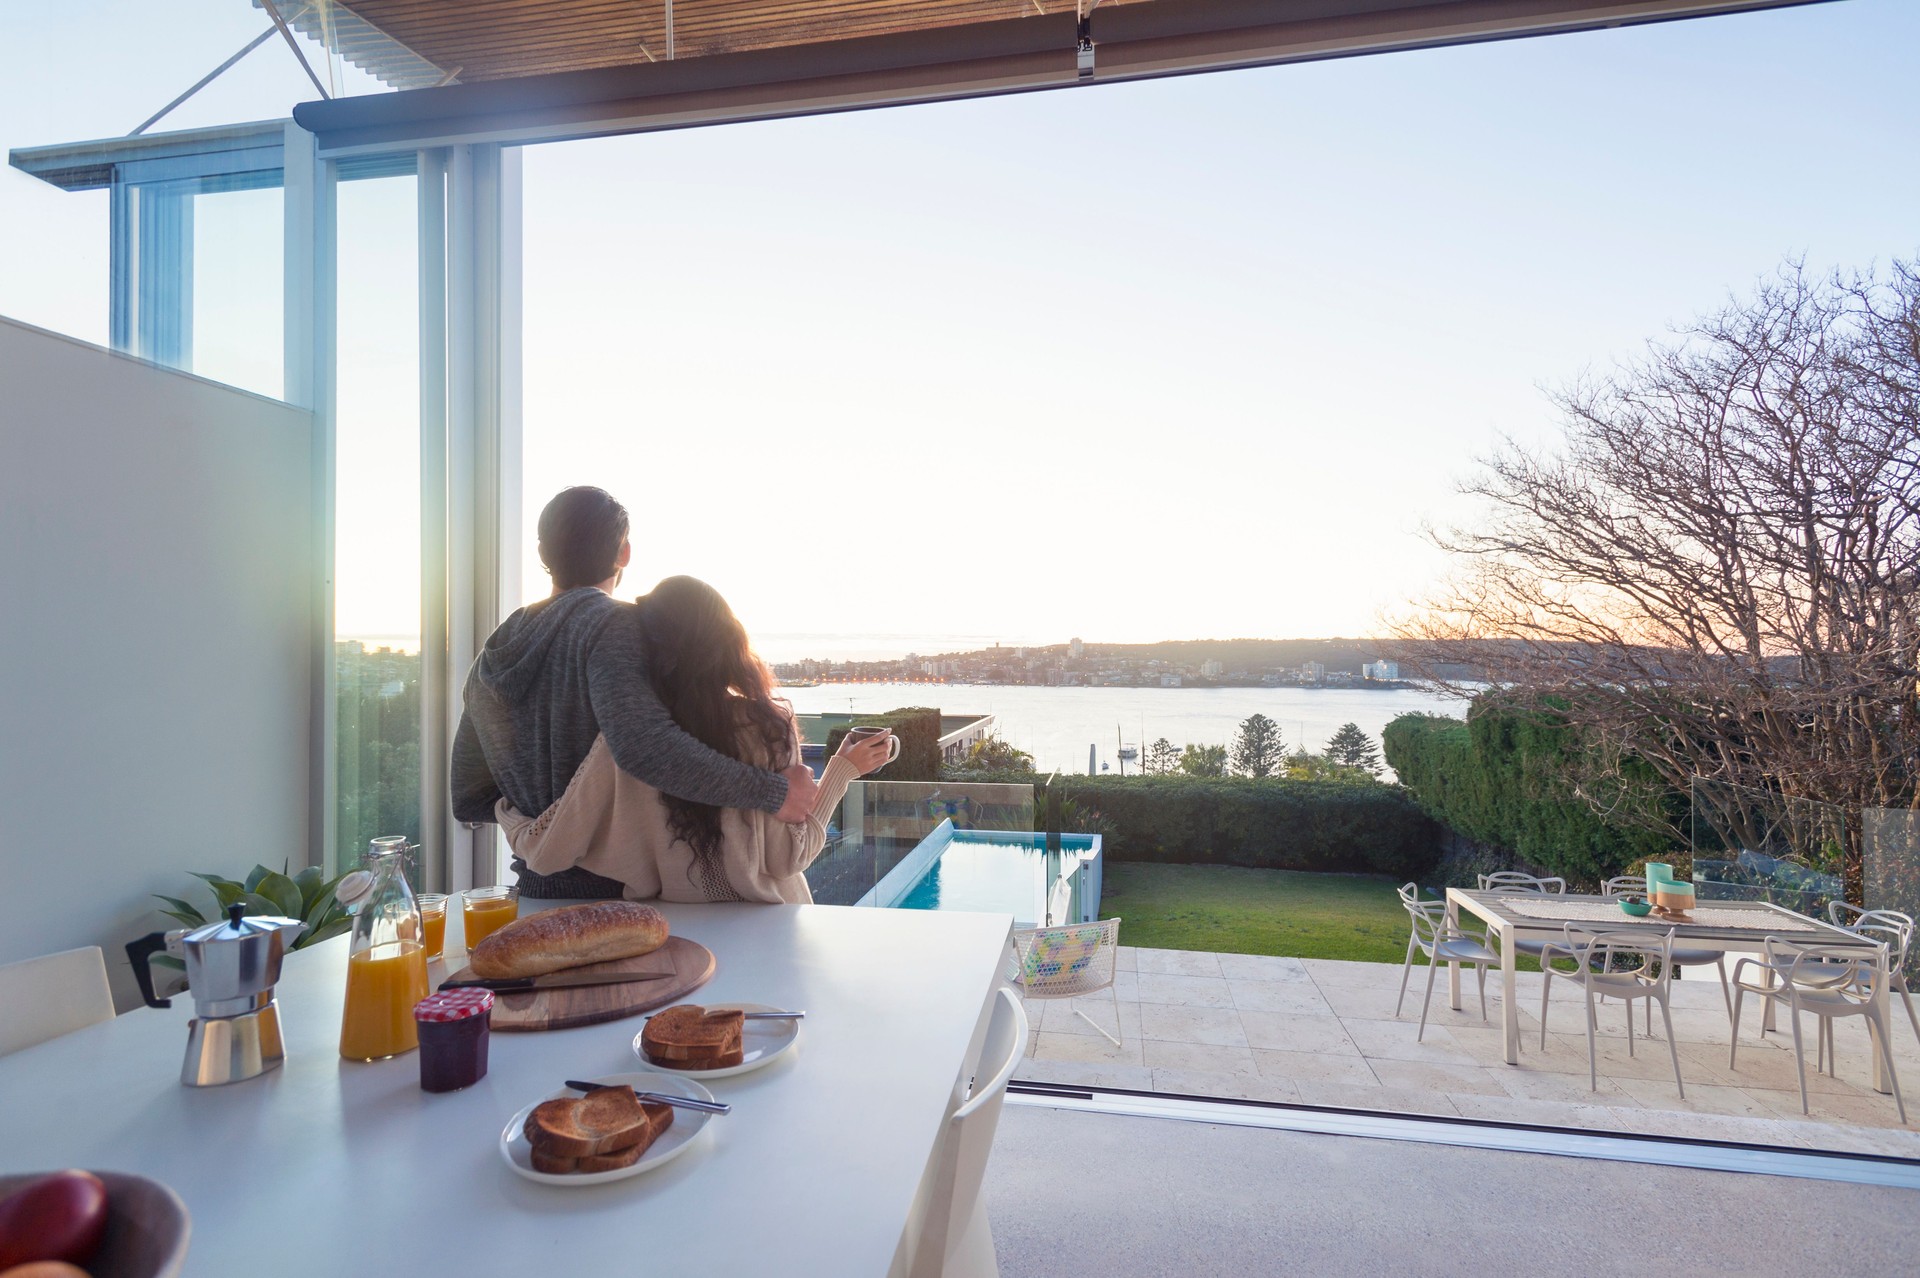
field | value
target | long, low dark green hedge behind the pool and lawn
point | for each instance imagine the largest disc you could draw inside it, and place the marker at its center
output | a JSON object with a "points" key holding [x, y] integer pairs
{"points": [[1266, 824]]}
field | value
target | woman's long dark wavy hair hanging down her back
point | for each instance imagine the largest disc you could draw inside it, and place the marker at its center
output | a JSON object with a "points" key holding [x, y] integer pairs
{"points": [[708, 676]]}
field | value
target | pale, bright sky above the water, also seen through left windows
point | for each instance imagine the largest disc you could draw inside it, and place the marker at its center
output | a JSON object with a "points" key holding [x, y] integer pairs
{"points": [[1149, 362]]}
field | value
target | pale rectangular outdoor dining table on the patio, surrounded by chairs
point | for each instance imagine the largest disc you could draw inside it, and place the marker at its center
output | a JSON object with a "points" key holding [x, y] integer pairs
{"points": [[1737, 926]]}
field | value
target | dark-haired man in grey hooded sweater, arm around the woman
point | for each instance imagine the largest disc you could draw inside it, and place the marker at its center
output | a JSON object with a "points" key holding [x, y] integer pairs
{"points": [[569, 669]]}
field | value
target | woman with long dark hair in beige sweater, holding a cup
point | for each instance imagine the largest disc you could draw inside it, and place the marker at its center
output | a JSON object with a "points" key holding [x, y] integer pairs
{"points": [[675, 849]]}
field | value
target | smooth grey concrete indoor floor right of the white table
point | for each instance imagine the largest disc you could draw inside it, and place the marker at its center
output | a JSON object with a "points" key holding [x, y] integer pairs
{"points": [[1136, 1198]]}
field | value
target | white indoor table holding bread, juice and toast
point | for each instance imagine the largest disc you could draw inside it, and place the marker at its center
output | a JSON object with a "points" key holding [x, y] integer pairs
{"points": [[329, 1166]]}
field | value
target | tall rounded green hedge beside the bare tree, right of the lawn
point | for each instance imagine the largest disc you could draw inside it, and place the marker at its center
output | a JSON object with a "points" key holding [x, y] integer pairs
{"points": [[1504, 780]]}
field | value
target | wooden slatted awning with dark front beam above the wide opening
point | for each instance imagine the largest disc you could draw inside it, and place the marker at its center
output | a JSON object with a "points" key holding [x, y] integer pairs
{"points": [[537, 70]]}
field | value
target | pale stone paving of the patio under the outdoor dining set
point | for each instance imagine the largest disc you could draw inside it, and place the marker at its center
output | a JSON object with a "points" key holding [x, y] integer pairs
{"points": [[1326, 1033]]}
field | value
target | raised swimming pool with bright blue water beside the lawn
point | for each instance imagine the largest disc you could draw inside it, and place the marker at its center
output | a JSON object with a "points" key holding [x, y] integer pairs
{"points": [[997, 872]]}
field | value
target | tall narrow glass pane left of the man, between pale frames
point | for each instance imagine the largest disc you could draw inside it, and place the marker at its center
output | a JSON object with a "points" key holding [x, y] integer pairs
{"points": [[377, 536]]}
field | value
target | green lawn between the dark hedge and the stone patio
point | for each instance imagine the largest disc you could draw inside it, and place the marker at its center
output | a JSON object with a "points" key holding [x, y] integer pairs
{"points": [[1237, 911]]}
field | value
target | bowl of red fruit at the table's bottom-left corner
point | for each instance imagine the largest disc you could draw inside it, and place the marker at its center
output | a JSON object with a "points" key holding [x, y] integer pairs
{"points": [[91, 1225]]}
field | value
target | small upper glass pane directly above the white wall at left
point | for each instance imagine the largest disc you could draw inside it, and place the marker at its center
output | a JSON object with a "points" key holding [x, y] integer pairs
{"points": [[239, 285]]}
